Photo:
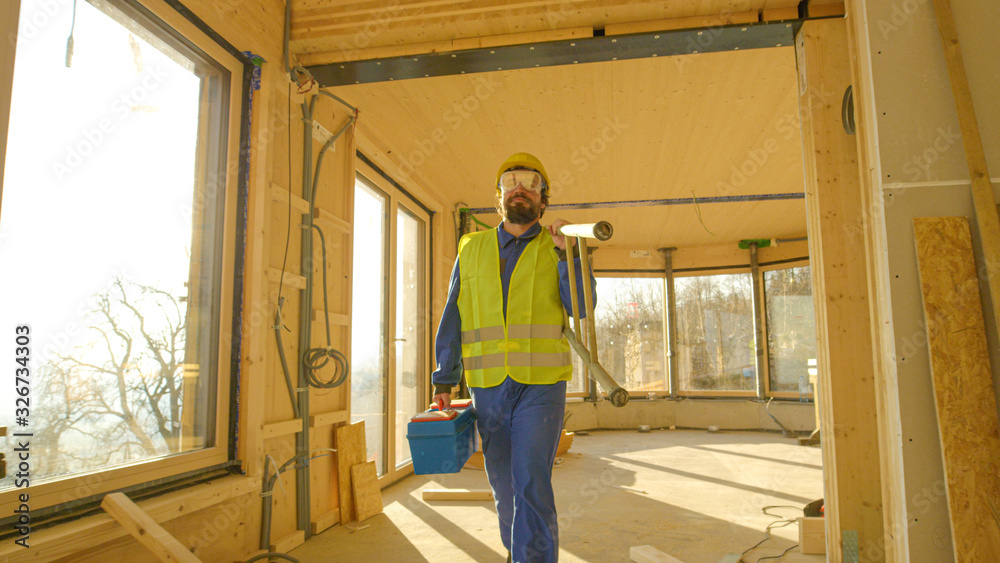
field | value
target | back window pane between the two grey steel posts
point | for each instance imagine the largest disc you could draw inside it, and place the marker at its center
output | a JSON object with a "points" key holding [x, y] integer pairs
{"points": [[715, 334]]}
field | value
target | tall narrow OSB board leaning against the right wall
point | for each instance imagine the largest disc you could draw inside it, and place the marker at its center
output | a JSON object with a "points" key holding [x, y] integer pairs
{"points": [[963, 384]]}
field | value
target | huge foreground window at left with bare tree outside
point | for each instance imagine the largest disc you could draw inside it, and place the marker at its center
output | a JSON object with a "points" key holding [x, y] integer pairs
{"points": [[115, 241]]}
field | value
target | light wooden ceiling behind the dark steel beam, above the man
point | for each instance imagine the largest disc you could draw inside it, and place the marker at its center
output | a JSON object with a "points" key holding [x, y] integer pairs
{"points": [[694, 127]]}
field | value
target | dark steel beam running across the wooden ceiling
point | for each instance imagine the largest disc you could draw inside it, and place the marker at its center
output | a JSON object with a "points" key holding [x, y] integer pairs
{"points": [[599, 48]]}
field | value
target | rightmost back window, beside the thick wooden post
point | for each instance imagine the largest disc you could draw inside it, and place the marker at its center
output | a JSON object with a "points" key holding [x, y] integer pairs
{"points": [[791, 327]]}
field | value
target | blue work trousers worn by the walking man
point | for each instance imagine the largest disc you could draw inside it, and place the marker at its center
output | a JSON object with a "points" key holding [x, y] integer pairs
{"points": [[520, 426]]}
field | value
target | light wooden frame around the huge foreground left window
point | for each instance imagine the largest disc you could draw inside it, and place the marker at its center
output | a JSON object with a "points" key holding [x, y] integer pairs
{"points": [[74, 490]]}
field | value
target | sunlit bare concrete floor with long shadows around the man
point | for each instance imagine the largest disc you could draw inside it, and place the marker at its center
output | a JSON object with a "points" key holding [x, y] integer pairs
{"points": [[694, 495]]}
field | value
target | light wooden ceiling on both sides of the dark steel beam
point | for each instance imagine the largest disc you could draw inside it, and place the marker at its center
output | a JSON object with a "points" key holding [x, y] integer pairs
{"points": [[687, 127]]}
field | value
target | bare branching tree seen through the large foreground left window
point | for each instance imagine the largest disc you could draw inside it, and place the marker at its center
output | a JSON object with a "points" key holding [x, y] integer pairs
{"points": [[121, 396]]}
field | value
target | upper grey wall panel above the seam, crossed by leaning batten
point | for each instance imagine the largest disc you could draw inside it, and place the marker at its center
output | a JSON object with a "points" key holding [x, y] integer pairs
{"points": [[919, 135]]}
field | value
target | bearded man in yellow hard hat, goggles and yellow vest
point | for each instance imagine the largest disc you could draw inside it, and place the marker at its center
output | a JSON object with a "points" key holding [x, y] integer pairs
{"points": [[502, 325]]}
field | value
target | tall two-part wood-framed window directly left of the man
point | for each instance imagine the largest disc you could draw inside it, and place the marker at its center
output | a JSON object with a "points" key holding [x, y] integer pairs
{"points": [[390, 323]]}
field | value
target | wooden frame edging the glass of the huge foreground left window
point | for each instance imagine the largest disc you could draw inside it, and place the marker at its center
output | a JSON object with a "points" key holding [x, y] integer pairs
{"points": [[95, 483]]}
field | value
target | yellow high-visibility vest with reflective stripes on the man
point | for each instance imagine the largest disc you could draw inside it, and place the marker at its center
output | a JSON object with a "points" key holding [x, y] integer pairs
{"points": [[528, 345]]}
